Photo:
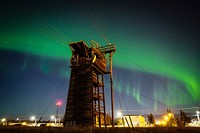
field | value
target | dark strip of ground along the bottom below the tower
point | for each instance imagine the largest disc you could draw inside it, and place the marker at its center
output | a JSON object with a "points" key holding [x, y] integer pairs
{"points": [[98, 130]]}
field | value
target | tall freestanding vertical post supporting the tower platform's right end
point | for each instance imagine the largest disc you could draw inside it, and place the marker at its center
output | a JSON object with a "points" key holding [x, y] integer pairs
{"points": [[112, 92]]}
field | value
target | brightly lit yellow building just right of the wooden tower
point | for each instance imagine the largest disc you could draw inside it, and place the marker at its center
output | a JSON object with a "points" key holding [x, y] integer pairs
{"points": [[133, 120]]}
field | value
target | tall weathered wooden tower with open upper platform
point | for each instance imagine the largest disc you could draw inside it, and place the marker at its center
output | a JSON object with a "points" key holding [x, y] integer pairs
{"points": [[86, 99]]}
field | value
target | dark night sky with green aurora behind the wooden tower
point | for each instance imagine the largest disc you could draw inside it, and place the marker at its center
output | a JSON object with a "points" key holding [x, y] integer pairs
{"points": [[156, 65]]}
